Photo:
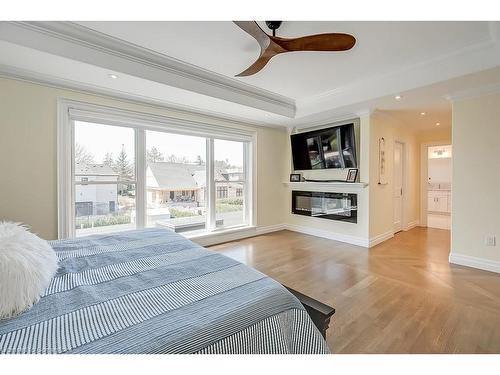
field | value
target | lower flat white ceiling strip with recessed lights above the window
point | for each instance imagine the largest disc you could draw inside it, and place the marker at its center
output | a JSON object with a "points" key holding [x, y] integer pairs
{"points": [[22, 61]]}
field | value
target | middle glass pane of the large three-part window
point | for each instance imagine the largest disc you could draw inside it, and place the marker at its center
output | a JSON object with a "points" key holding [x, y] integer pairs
{"points": [[176, 178]]}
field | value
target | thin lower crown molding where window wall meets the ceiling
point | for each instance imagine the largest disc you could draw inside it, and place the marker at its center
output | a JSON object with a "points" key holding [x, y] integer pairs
{"points": [[61, 83]]}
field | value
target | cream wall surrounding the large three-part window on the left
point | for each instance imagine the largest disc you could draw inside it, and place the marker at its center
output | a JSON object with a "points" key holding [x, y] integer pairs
{"points": [[28, 154]]}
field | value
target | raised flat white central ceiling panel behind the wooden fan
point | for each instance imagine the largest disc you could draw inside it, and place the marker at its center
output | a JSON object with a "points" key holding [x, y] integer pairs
{"points": [[224, 48]]}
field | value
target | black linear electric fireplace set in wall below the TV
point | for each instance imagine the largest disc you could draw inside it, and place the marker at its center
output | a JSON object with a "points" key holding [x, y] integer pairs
{"points": [[331, 206]]}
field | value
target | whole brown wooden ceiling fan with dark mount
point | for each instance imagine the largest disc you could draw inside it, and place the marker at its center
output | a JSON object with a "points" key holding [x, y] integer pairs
{"points": [[271, 45]]}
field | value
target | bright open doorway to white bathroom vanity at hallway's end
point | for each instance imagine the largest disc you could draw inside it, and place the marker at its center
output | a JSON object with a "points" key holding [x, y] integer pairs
{"points": [[439, 170]]}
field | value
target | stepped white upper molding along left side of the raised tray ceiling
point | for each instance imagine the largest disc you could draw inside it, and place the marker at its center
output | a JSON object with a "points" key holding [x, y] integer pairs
{"points": [[83, 44]]}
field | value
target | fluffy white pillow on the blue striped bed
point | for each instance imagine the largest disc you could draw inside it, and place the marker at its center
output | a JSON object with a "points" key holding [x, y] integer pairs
{"points": [[27, 264]]}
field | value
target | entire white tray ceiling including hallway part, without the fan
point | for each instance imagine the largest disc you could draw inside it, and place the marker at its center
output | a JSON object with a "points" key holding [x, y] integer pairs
{"points": [[191, 66]]}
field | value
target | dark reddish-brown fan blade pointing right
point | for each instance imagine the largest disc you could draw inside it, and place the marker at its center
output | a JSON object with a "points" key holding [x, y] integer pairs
{"points": [[318, 42]]}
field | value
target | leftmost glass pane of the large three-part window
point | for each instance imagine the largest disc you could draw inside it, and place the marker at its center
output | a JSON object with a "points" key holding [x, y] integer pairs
{"points": [[104, 170]]}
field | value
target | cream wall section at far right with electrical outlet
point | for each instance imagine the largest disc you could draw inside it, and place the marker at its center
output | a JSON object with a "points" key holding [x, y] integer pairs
{"points": [[476, 181]]}
